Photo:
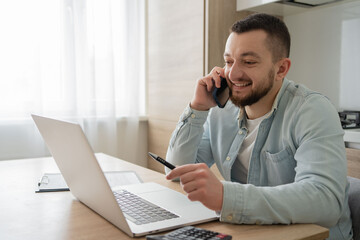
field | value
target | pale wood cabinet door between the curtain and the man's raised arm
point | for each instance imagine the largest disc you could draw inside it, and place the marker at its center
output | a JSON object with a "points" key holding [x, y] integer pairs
{"points": [[175, 61]]}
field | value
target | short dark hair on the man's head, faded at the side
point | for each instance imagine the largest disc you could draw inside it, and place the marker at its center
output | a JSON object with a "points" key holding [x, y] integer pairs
{"points": [[278, 40]]}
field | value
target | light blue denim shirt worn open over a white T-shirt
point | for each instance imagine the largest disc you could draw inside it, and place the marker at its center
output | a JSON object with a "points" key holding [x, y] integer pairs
{"points": [[297, 171]]}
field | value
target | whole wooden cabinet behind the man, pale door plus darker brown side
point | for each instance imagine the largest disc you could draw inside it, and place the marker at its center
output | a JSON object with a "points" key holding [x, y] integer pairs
{"points": [[185, 40]]}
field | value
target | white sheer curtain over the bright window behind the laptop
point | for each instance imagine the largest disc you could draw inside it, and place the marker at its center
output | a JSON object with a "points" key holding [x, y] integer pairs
{"points": [[79, 60]]}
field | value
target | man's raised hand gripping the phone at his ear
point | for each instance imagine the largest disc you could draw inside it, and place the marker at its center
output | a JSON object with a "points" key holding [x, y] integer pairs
{"points": [[202, 99]]}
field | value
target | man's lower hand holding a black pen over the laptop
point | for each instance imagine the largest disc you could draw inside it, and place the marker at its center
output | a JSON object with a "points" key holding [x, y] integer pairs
{"points": [[200, 184]]}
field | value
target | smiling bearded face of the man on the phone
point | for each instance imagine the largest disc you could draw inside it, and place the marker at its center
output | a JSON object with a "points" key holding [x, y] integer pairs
{"points": [[249, 67]]}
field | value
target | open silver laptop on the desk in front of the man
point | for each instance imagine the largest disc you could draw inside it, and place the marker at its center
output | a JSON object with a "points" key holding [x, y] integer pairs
{"points": [[86, 180]]}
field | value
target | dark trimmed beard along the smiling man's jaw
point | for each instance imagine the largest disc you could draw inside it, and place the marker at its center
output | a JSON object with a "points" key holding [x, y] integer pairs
{"points": [[255, 94]]}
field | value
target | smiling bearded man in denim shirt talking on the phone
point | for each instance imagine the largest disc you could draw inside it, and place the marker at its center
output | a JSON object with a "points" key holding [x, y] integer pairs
{"points": [[278, 145]]}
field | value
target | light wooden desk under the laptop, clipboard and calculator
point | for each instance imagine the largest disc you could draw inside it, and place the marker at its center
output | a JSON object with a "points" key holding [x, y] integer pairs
{"points": [[25, 214]]}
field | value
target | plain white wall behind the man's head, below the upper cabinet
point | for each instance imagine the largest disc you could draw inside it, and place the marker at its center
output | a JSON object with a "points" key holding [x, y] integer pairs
{"points": [[325, 52]]}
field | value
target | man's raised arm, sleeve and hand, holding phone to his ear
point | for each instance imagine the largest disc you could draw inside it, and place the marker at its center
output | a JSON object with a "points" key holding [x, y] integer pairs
{"points": [[189, 143]]}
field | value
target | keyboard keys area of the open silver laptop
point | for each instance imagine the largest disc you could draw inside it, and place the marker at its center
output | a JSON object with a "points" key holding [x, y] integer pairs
{"points": [[140, 211]]}
